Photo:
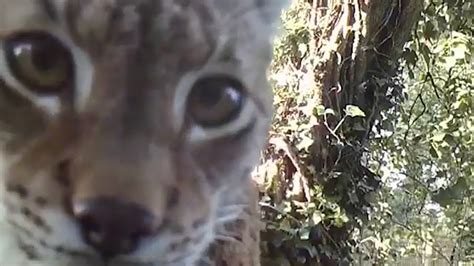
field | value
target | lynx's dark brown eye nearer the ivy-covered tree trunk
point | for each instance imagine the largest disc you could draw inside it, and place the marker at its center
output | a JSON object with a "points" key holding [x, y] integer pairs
{"points": [[215, 101]]}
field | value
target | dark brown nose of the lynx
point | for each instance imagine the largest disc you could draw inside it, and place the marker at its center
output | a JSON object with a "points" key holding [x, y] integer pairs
{"points": [[113, 227]]}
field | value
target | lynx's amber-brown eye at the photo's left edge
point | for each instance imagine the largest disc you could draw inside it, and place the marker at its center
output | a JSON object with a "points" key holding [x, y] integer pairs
{"points": [[40, 61]]}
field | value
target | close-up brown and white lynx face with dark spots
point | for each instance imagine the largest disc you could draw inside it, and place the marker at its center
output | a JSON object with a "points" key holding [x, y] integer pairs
{"points": [[128, 128]]}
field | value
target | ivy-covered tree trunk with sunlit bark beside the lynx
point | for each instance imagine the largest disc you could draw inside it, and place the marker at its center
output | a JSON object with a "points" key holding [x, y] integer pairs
{"points": [[346, 54]]}
